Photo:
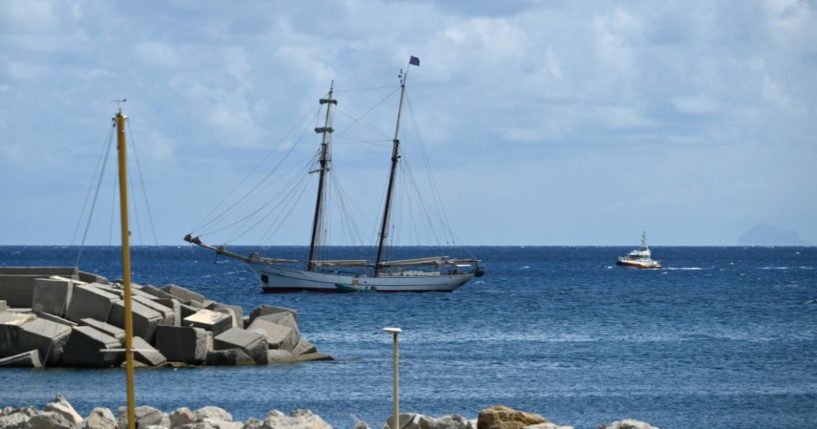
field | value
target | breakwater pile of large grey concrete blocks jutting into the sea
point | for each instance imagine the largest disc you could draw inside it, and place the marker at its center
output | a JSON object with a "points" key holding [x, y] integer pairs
{"points": [[68, 318]]}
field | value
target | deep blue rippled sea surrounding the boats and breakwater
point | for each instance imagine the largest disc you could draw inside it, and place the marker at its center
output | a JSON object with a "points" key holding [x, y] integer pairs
{"points": [[724, 337]]}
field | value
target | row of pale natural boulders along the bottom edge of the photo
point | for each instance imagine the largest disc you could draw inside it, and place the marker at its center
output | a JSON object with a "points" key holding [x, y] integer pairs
{"points": [[59, 414]]}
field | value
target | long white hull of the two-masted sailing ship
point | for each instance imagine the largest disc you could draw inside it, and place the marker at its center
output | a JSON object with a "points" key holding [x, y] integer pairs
{"points": [[279, 279]]}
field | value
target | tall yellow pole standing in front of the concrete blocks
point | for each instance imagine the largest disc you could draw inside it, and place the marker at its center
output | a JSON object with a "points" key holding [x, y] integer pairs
{"points": [[123, 208]]}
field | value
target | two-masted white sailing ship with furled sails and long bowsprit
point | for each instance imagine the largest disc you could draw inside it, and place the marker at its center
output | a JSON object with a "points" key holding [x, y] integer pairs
{"points": [[435, 273]]}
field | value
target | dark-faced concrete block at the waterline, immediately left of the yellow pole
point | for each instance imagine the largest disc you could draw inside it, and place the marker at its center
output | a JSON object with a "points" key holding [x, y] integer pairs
{"points": [[84, 345]]}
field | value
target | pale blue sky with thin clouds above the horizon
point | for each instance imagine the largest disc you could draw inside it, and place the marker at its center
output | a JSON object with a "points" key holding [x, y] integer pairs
{"points": [[546, 122]]}
